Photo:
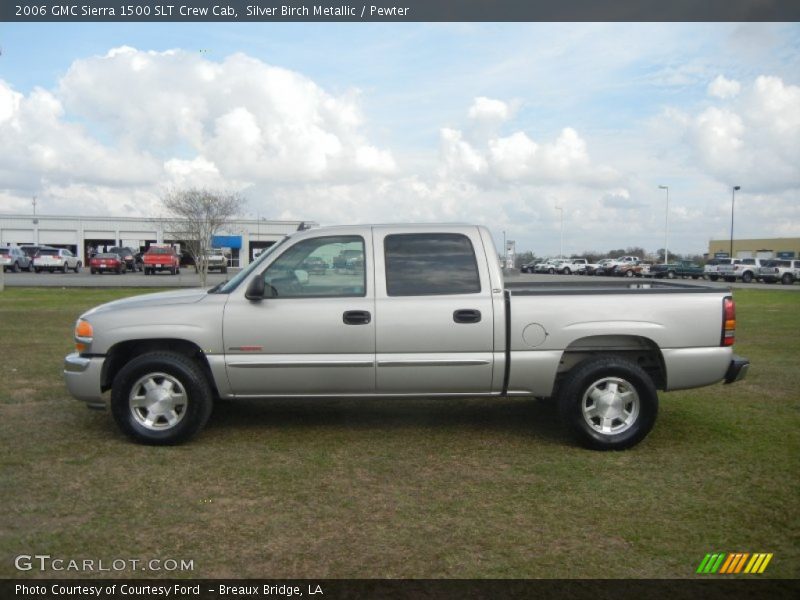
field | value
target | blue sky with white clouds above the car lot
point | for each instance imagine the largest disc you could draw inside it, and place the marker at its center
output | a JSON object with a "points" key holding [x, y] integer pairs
{"points": [[494, 124]]}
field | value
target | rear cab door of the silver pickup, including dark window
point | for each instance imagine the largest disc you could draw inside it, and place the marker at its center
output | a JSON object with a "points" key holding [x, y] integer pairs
{"points": [[434, 327]]}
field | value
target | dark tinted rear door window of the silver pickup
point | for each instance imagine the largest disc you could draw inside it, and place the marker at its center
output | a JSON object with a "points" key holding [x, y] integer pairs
{"points": [[425, 264]]}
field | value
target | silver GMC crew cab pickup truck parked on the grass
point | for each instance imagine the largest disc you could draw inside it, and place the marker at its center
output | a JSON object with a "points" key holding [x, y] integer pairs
{"points": [[414, 310]]}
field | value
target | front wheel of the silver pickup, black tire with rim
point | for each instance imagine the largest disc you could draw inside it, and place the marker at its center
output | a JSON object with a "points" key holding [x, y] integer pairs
{"points": [[173, 374]]}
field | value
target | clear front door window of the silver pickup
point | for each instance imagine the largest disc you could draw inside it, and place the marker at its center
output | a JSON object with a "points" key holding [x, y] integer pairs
{"points": [[320, 267]]}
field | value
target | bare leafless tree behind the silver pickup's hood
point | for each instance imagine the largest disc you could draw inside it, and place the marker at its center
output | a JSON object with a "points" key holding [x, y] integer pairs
{"points": [[200, 214]]}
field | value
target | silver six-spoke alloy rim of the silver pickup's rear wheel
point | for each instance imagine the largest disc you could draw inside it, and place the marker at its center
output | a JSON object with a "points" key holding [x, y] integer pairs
{"points": [[610, 405]]}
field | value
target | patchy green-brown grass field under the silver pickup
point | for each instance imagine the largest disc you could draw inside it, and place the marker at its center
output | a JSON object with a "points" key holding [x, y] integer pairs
{"points": [[473, 488]]}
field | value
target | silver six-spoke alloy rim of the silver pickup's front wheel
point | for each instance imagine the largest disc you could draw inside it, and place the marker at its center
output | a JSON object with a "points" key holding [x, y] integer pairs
{"points": [[158, 401]]}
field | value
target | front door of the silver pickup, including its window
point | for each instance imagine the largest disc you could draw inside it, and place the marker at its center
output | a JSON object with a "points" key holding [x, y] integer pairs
{"points": [[316, 334]]}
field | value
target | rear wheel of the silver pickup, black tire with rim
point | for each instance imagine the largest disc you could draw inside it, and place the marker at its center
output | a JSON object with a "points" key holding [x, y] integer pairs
{"points": [[633, 410]]}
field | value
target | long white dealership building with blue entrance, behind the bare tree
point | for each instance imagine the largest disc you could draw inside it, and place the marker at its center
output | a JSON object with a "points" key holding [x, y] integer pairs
{"points": [[243, 239]]}
